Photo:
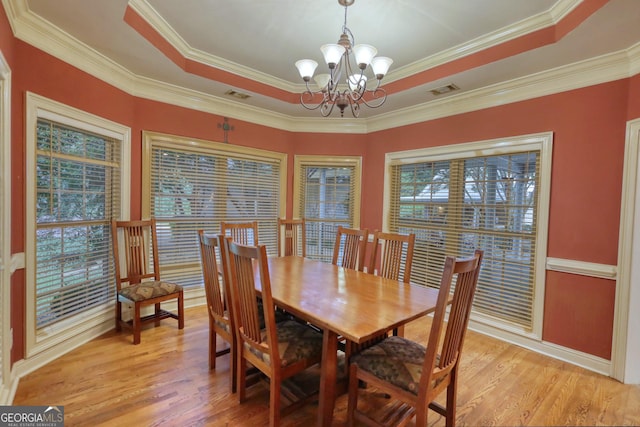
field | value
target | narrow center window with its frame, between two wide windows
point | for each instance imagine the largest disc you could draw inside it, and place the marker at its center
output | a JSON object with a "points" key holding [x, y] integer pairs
{"points": [[327, 194]]}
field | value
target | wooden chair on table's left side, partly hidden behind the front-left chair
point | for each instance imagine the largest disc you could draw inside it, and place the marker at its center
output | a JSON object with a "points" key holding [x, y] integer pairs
{"points": [[217, 295]]}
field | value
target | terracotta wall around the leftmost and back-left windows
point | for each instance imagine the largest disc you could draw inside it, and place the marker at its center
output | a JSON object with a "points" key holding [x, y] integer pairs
{"points": [[38, 72]]}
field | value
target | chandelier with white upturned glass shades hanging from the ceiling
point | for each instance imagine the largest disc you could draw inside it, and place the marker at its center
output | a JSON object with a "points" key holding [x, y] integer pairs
{"points": [[352, 90]]}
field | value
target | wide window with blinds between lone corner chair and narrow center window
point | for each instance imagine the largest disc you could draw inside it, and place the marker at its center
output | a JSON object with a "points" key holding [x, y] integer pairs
{"points": [[196, 185]]}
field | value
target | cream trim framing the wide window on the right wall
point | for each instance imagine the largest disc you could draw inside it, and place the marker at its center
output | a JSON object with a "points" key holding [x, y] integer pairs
{"points": [[542, 142]]}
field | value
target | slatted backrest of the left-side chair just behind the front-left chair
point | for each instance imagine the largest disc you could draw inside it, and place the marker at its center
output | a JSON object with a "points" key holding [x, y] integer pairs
{"points": [[213, 291]]}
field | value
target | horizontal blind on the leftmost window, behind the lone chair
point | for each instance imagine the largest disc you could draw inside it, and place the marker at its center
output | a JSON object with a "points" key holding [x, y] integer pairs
{"points": [[77, 194]]}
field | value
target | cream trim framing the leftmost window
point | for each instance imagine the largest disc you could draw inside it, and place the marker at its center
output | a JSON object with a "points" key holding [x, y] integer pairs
{"points": [[57, 339]]}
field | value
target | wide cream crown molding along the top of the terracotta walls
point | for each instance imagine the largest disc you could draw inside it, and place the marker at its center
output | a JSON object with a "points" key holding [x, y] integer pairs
{"points": [[45, 36]]}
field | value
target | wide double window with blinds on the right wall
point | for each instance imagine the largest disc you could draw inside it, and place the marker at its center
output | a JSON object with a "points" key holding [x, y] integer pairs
{"points": [[485, 196]]}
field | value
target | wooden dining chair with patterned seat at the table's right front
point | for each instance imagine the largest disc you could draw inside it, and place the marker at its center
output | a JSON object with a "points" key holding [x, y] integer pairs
{"points": [[414, 375]]}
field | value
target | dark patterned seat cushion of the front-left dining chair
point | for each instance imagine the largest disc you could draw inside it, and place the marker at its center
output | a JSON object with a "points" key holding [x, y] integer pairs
{"points": [[295, 342]]}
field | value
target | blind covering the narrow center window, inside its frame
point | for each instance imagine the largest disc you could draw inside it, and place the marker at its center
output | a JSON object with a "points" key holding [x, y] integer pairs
{"points": [[327, 200]]}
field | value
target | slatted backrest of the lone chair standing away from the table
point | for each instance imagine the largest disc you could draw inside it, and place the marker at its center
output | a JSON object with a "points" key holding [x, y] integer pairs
{"points": [[137, 242]]}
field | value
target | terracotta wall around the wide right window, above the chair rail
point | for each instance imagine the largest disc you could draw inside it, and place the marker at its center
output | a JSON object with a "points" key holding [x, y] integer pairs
{"points": [[589, 131]]}
